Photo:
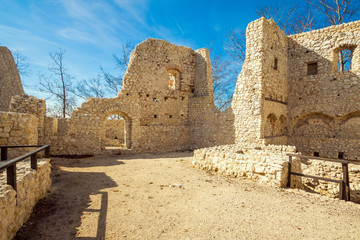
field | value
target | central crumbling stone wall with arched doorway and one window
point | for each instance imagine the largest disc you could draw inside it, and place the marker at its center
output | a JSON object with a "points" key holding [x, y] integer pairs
{"points": [[166, 102]]}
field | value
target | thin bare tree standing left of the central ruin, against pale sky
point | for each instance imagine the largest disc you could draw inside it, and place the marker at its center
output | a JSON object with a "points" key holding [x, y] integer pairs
{"points": [[58, 84]]}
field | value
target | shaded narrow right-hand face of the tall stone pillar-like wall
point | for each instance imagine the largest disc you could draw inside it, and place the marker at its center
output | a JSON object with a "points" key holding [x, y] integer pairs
{"points": [[275, 87]]}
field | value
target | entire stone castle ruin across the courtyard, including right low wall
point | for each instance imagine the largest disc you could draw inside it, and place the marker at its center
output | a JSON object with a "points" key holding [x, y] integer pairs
{"points": [[290, 96]]}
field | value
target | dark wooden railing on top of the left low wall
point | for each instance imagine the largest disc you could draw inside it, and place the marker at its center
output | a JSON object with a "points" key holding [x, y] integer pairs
{"points": [[10, 165]]}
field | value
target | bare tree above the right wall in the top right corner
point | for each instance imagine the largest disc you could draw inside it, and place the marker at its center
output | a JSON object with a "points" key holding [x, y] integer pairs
{"points": [[335, 11]]}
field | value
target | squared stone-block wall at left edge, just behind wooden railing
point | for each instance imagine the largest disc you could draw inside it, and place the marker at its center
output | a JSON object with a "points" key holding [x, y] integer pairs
{"points": [[18, 129]]}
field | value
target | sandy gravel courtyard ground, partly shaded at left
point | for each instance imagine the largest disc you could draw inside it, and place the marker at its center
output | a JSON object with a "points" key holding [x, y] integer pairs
{"points": [[128, 197]]}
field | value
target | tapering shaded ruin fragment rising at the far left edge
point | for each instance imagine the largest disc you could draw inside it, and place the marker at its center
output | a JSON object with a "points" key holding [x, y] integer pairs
{"points": [[10, 83]]}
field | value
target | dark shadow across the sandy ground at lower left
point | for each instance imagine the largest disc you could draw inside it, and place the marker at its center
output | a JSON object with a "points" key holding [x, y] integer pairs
{"points": [[61, 213]]}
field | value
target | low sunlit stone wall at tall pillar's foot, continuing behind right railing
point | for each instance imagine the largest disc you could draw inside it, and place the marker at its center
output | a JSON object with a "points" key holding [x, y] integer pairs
{"points": [[269, 165]]}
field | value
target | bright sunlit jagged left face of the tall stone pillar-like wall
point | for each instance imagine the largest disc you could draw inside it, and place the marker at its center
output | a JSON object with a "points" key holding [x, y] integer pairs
{"points": [[248, 100]]}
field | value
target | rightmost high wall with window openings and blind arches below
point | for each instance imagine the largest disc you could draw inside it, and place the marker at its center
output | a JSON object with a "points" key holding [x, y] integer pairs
{"points": [[324, 104]]}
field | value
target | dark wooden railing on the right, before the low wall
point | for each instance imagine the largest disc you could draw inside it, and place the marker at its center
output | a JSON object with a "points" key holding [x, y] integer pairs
{"points": [[344, 183]]}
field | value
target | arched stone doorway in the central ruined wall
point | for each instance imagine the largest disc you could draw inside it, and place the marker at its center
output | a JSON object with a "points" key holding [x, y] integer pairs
{"points": [[116, 130]]}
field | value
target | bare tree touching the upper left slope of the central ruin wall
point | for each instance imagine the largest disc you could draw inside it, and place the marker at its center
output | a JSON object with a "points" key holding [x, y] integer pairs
{"points": [[114, 83]]}
